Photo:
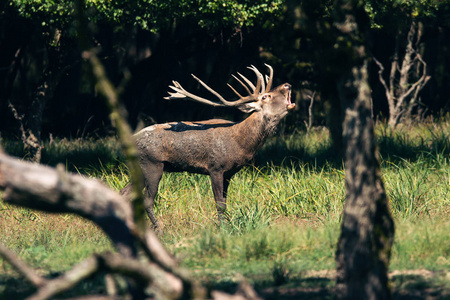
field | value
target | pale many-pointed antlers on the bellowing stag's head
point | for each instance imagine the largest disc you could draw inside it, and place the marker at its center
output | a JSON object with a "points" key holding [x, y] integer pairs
{"points": [[253, 95]]}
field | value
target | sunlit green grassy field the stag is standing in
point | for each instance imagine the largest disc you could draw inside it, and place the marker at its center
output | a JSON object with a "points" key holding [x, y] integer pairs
{"points": [[282, 221]]}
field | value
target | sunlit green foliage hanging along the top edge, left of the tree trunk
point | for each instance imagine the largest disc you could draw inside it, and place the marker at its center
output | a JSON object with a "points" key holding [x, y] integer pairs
{"points": [[153, 15]]}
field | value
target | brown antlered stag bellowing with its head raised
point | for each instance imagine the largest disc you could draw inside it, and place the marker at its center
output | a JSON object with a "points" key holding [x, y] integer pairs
{"points": [[218, 148]]}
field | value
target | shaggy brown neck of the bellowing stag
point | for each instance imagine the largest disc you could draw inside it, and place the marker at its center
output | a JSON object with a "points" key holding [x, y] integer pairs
{"points": [[254, 130]]}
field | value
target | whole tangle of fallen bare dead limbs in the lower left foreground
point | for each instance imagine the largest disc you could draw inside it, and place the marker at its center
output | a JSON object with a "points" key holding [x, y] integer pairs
{"points": [[44, 188]]}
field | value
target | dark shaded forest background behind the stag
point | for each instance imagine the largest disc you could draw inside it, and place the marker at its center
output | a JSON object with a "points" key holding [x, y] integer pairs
{"points": [[46, 90]]}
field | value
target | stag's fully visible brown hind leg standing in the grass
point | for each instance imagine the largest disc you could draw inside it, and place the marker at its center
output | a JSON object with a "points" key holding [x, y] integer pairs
{"points": [[152, 176]]}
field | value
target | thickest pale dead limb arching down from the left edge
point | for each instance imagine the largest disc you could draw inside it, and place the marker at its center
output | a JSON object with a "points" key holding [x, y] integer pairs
{"points": [[47, 189]]}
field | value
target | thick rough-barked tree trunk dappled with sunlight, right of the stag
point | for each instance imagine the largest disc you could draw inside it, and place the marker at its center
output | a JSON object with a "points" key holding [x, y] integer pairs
{"points": [[367, 231]]}
